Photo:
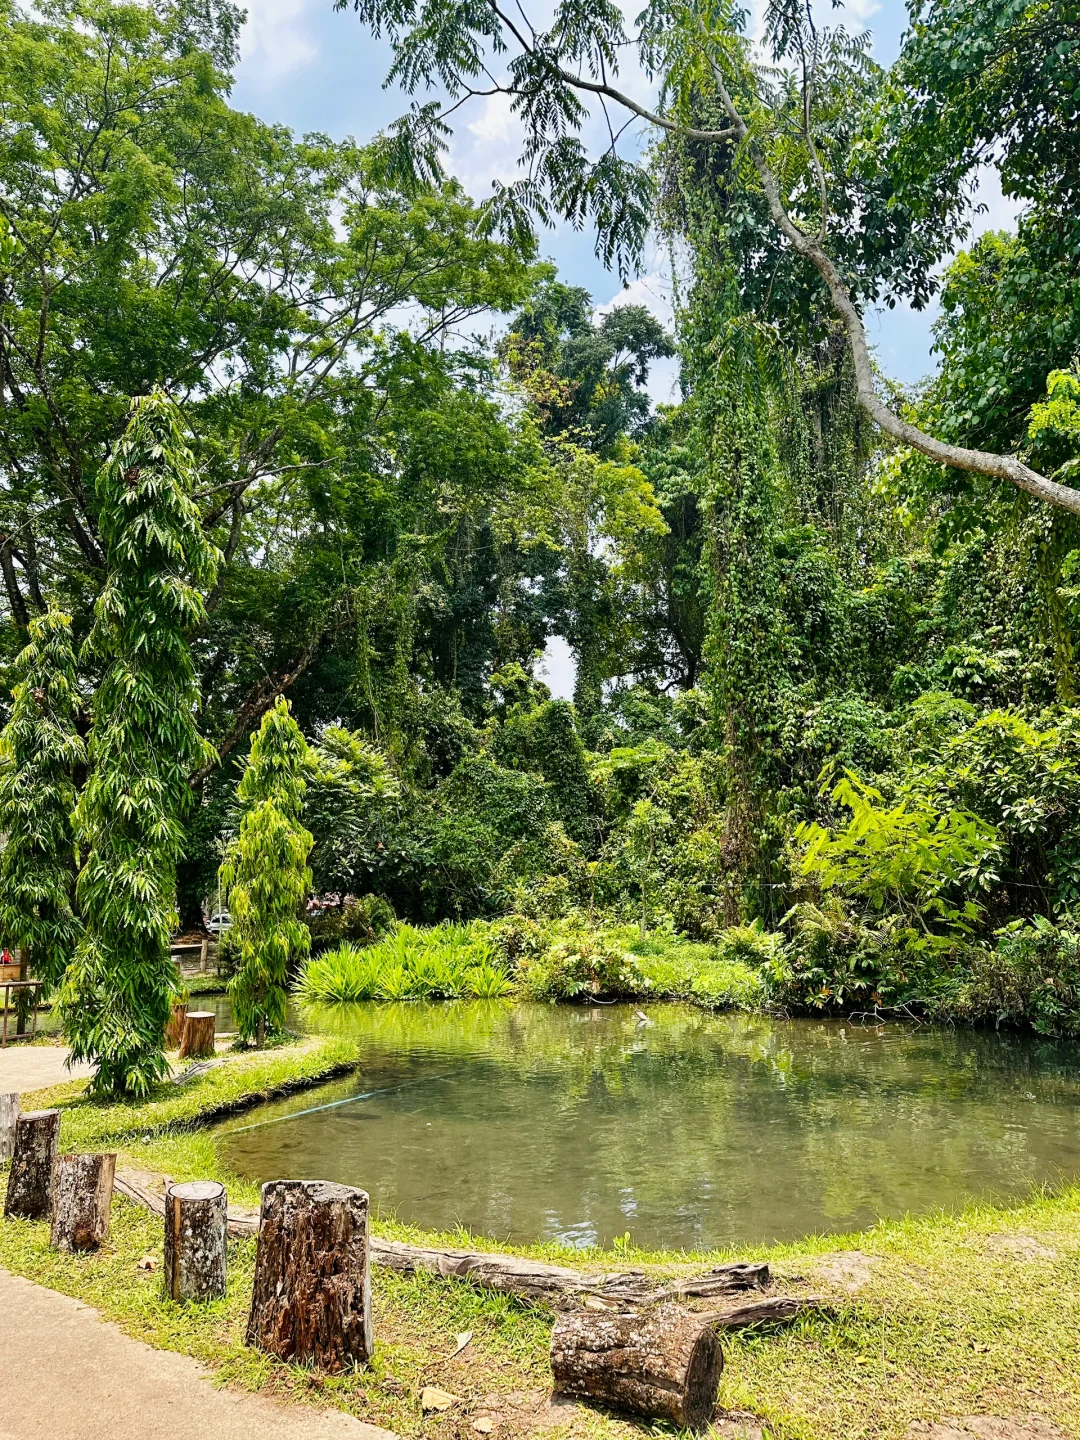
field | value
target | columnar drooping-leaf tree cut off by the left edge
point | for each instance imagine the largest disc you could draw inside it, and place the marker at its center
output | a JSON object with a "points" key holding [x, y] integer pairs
{"points": [[40, 750]]}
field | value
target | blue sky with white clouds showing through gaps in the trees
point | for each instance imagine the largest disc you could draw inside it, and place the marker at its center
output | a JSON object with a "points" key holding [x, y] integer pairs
{"points": [[316, 70]]}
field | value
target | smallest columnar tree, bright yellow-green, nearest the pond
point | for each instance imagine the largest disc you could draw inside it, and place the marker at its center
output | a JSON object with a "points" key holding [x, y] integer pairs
{"points": [[266, 875]]}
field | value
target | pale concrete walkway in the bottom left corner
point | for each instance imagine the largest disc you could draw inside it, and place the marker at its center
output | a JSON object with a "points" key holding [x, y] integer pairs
{"points": [[71, 1376]]}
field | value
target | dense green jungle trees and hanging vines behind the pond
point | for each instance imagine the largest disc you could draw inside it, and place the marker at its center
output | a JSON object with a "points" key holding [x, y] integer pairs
{"points": [[826, 682]]}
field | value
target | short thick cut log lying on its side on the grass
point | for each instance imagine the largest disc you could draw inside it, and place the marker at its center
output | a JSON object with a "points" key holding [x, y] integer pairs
{"points": [[663, 1363]]}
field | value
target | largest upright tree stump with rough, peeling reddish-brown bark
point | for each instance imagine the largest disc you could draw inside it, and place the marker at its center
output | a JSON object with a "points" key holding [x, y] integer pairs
{"points": [[313, 1294]]}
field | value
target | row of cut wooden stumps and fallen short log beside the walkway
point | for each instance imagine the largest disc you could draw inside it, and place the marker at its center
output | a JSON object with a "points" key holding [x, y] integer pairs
{"points": [[312, 1300]]}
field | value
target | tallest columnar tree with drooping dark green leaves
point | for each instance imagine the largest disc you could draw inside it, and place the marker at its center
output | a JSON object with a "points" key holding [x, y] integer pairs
{"points": [[143, 748]]}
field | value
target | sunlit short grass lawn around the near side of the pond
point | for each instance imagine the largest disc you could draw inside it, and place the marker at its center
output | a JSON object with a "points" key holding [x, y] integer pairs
{"points": [[938, 1317]]}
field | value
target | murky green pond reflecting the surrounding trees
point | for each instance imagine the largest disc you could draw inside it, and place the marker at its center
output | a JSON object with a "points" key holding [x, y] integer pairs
{"points": [[581, 1124]]}
